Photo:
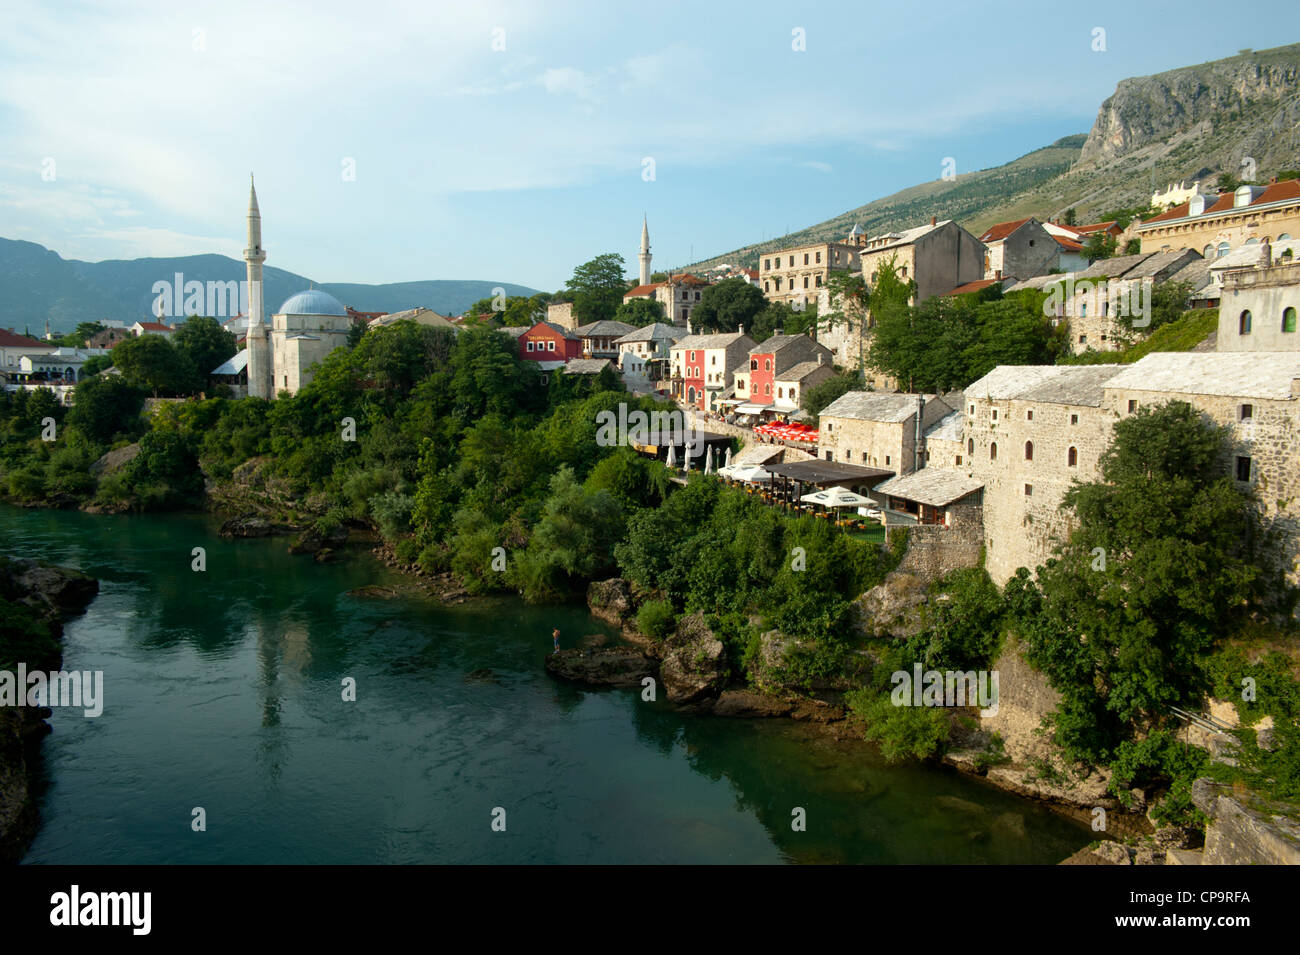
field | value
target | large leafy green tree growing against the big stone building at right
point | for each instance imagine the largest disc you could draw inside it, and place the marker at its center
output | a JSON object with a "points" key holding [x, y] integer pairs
{"points": [[1163, 563]]}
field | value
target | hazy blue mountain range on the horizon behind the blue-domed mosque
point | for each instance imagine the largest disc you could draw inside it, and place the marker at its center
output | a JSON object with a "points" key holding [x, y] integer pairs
{"points": [[37, 284]]}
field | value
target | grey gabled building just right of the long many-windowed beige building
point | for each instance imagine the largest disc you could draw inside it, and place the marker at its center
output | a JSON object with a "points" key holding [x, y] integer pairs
{"points": [[938, 258]]}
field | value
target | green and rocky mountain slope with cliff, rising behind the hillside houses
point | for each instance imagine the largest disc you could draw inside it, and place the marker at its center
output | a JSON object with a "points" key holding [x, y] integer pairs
{"points": [[1194, 123]]}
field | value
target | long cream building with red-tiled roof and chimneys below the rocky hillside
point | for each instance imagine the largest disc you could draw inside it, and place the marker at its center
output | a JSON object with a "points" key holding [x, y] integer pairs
{"points": [[1215, 225]]}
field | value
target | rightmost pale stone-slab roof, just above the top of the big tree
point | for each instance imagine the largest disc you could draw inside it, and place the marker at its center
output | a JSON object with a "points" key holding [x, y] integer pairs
{"points": [[1230, 375]]}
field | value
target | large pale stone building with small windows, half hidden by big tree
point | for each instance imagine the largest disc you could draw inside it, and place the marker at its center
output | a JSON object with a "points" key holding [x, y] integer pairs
{"points": [[1034, 431]]}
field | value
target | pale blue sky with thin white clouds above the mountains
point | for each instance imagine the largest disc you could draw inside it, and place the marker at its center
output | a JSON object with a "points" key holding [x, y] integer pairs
{"points": [[514, 141]]}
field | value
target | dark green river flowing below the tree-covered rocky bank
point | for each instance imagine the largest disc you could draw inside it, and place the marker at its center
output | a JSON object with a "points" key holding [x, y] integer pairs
{"points": [[223, 691]]}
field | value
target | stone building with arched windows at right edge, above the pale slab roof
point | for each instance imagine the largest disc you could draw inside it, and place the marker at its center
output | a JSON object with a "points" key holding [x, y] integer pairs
{"points": [[1258, 310]]}
